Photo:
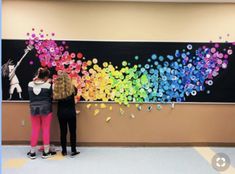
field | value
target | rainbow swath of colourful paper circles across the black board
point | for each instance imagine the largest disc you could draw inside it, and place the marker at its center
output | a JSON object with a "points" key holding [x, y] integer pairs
{"points": [[172, 77]]}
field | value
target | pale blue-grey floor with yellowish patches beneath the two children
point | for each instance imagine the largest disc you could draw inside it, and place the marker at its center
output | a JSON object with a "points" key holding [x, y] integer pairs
{"points": [[117, 160]]}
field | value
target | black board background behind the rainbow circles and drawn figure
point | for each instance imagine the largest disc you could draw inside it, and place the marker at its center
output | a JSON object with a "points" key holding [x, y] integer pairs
{"points": [[222, 90]]}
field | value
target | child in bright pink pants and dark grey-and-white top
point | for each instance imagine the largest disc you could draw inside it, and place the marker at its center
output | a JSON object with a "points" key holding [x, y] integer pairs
{"points": [[40, 96]]}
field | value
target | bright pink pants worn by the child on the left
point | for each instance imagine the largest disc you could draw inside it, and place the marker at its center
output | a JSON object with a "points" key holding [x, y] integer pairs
{"points": [[43, 122]]}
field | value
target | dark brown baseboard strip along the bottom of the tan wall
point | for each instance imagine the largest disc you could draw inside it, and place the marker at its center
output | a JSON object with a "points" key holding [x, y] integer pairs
{"points": [[133, 144]]}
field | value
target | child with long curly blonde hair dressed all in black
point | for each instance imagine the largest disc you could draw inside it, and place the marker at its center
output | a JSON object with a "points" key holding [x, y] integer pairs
{"points": [[64, 92]]}
